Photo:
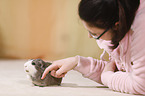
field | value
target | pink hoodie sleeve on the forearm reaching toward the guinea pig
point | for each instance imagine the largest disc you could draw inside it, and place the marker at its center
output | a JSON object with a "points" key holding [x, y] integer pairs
{"points": [[90, 68]]}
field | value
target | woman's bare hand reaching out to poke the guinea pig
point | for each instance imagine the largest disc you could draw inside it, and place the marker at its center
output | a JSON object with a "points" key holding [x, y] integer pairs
{"points": [[60, 67]]}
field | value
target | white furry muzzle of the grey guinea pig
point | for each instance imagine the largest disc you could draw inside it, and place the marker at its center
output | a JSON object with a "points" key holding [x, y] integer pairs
{"points": [[29, 68]]}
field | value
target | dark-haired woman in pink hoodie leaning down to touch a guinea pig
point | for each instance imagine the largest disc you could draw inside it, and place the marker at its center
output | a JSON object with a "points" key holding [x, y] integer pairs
{"points": [[119, 28]]}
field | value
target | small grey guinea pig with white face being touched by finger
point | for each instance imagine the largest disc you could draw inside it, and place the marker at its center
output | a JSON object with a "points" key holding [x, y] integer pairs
{"points": [[35, 68]]}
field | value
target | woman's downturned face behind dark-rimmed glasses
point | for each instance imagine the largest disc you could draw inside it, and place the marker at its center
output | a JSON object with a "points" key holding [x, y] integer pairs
{"points": [[97, 32]]}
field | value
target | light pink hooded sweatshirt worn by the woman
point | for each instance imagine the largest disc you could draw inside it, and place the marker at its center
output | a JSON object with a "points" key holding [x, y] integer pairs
{"points": [[129, 57]]}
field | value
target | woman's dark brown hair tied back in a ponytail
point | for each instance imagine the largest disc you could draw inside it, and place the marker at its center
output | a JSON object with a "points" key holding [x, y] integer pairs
{"points": [[105, 13]]}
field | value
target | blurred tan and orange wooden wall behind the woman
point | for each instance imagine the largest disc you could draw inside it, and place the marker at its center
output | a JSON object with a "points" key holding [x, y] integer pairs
{"points": [[47, 29]]}
